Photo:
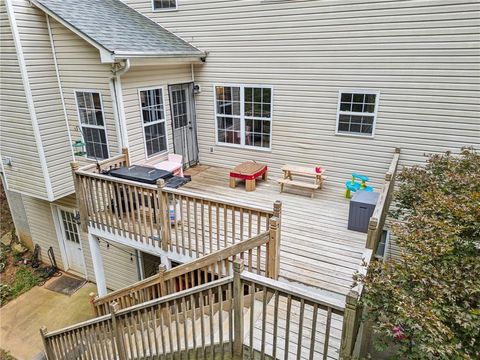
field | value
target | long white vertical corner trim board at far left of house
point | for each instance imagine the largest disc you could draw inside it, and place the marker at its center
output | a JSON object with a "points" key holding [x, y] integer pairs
{"points": [[28, 95]]}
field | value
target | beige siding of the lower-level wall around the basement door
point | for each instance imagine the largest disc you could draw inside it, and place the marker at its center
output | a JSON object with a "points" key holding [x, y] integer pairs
{"points": [[120, 271]]}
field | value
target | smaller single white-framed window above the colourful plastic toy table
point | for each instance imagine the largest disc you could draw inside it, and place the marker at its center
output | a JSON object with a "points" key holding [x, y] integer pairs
{"points": [[357, 112]]}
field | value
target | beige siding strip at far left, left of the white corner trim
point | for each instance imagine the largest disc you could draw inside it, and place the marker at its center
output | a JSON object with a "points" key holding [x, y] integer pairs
{"points": [[17, 139]]}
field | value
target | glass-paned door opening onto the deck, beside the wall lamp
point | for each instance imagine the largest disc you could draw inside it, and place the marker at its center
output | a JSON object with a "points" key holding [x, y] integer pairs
{"points": [[184, 126]]}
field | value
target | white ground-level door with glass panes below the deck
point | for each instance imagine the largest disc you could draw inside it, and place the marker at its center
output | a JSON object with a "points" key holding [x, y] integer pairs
{"points": [[71, 240]]}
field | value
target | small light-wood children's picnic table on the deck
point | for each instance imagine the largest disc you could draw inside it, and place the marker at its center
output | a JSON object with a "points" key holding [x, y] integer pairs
{"points": [[304, 172]]}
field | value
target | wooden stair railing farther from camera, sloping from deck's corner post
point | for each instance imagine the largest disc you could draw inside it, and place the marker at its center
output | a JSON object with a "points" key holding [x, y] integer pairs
{"points": [[260, 254]]}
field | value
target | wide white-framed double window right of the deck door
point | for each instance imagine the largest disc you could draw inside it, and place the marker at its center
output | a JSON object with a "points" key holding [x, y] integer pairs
{"points": [[244, 115]]}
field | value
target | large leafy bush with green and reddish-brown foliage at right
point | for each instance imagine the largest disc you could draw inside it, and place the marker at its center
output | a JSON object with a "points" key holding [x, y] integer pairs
{"points": [[428, 301]]}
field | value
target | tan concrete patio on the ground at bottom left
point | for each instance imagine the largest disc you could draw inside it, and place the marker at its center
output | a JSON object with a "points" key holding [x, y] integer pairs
{"points": [[21, 319]]}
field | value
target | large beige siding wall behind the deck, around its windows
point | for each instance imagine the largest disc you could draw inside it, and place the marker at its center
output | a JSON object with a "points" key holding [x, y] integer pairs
{"points": [[422, 56]]}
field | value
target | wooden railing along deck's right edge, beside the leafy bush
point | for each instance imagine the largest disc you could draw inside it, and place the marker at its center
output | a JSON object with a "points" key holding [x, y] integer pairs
{"points": [[354, 340]]}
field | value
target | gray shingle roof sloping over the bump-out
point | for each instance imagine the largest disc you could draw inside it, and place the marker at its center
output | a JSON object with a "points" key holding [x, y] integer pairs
{"points": [[118, 28]]}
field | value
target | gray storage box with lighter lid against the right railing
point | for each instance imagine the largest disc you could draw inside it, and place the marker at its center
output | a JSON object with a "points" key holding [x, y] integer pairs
{"points": [[362, 205]]}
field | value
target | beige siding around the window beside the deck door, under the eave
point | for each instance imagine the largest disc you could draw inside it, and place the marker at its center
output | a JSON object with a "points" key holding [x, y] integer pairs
{"points": [[148, 77]]}
